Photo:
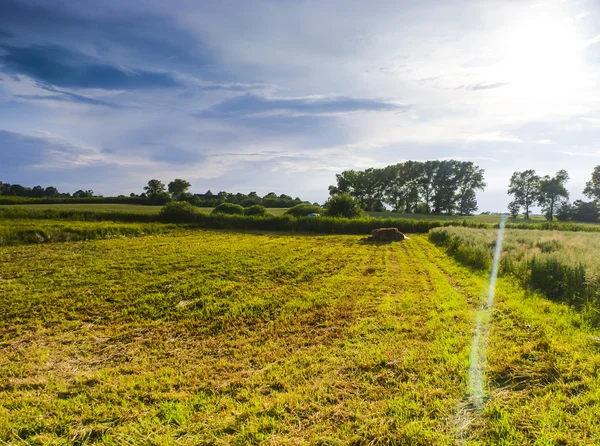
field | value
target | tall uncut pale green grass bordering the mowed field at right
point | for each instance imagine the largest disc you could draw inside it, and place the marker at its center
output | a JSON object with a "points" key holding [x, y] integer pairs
{"points": [[564, 266]]}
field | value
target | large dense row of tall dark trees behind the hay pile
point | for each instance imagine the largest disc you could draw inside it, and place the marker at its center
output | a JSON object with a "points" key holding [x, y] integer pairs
{"points": [[425, 187]]}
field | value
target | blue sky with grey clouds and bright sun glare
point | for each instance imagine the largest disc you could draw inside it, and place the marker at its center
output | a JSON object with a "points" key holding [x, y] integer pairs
{"points": [[281, 95]]}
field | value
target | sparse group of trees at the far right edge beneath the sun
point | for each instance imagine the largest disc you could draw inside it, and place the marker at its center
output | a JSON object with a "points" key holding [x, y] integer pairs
{"points": [[550, 193]]}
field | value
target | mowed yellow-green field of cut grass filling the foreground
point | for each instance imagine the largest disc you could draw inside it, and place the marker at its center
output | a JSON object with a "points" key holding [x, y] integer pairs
{"points": [[209, 337]]}
